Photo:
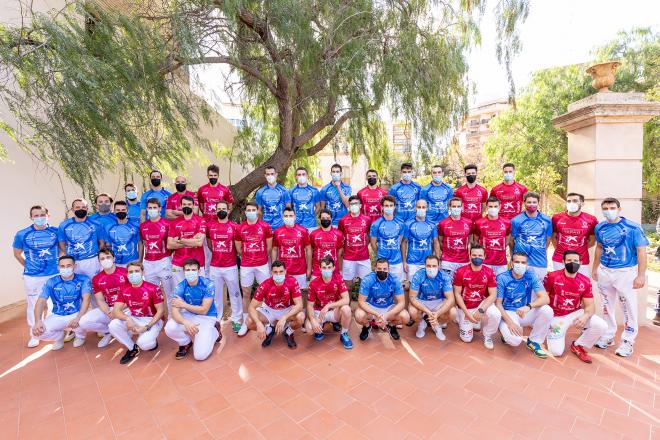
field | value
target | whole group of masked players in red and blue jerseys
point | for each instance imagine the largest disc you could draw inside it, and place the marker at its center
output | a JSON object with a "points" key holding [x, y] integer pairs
{"points": [[164, 260]]}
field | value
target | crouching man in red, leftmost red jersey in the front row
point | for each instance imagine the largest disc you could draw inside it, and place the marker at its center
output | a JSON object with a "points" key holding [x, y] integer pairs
{"points": [[106, 286]]}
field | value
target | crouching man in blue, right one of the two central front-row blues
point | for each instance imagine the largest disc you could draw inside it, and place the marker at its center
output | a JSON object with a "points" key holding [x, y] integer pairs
{"points": [[431, 297]]}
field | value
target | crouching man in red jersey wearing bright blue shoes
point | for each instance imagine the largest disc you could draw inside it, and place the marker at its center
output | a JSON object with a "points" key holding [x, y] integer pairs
{"points": [[328, 301]]}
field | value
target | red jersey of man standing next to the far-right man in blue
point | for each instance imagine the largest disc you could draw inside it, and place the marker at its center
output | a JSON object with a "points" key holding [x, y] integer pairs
{"points": [[572, 232]]}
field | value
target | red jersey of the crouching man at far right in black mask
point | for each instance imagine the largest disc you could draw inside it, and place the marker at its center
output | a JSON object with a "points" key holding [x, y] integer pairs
{"points": [[566, 293]]}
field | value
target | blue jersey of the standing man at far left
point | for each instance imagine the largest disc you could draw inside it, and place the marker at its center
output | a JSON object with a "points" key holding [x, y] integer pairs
{"points": [[40, 248]]}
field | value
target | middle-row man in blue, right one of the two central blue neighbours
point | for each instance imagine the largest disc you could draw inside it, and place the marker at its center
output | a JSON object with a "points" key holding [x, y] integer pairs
{"points": [[420, 239]]}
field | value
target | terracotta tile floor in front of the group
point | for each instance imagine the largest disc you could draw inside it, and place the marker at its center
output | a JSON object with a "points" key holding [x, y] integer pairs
{"points": [[381, 389]]}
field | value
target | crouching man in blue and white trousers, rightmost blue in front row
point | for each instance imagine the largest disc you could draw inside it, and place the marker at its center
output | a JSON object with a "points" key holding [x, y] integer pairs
{"points": [[523, 302]]}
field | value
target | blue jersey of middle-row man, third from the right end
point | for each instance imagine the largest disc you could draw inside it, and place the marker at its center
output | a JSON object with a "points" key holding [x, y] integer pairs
{"points": [[530, 235]]}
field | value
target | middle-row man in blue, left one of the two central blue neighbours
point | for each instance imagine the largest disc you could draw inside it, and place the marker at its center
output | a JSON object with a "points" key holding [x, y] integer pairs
{"points": [[385, 236]]}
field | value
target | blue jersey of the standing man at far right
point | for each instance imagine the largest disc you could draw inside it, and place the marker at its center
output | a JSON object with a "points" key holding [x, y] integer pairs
{"points": [[620, 242]]}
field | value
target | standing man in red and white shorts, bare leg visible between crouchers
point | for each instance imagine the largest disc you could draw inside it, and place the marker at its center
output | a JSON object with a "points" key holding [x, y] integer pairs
{"points": [[254, 241]]}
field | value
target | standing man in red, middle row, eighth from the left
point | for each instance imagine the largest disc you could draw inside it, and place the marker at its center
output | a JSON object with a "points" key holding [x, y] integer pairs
{"points": [[291, 246]]}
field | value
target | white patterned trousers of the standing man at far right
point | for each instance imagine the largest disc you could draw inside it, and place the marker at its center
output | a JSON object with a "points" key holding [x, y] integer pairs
{"points": [[615, 285]]}
